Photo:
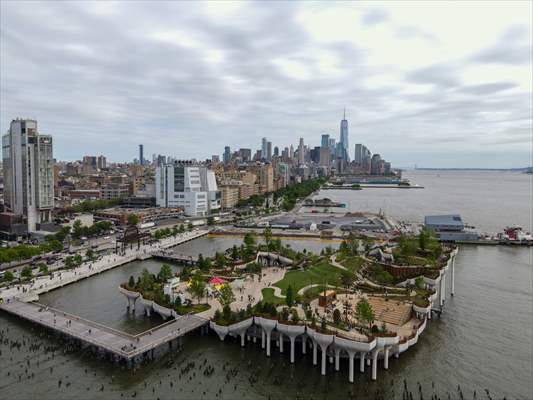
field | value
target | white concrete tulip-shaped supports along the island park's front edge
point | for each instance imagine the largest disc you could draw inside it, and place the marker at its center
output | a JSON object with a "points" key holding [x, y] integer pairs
{"points": [[331, 345]]}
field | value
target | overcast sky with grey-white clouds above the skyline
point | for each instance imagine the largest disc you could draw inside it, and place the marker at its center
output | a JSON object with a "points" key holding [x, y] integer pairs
{"points": [[435, 84]]}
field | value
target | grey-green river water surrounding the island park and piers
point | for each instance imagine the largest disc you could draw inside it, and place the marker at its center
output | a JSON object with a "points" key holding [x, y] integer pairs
{"points": [[484, 339]]}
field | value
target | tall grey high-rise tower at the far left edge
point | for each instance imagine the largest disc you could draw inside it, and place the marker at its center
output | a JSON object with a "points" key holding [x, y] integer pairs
{"points": [[28, 167]]}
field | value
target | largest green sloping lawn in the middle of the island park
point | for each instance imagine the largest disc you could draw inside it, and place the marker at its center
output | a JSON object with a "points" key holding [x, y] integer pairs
{"points": [[320, 273]]}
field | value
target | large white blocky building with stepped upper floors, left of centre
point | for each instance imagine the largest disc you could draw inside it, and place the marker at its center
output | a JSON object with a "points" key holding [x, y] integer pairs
{"points": [[187, 185]]}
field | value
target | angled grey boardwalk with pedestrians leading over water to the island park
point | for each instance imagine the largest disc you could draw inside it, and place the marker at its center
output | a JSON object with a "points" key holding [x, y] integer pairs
{"points": [[118, 343]]}
